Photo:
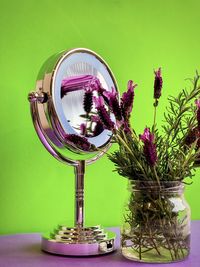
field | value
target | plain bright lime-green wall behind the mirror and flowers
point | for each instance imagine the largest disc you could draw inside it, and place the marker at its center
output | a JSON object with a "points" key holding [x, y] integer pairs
{"points": [[36, 191]]}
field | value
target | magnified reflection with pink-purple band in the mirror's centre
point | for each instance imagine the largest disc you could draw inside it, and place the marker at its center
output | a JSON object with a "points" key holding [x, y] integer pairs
{"points": [[77, 100]]}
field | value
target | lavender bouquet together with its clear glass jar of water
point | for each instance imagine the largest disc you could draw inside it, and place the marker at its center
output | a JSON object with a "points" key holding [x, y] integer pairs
{"points": [[157, 163]]}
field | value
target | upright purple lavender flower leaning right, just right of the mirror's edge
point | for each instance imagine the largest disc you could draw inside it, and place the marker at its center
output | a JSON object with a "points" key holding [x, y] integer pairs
{"points": [[127, 100]]}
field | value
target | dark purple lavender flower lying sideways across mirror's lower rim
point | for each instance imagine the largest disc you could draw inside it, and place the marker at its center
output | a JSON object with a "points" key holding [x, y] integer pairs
{"points": [[78, 141]]}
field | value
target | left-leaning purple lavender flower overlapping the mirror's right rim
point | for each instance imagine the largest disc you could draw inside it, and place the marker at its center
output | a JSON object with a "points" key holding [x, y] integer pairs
{"points": [[113, 102]]}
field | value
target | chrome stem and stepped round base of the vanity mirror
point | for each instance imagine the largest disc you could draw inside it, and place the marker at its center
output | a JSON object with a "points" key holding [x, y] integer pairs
{"points": [[79, 240]]}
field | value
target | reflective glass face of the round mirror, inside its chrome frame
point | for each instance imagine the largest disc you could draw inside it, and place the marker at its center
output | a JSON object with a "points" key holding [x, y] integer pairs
{"points": [[80, 77]]}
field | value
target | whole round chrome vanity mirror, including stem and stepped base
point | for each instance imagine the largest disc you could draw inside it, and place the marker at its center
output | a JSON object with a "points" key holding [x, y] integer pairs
{"points": [[67, 122]]}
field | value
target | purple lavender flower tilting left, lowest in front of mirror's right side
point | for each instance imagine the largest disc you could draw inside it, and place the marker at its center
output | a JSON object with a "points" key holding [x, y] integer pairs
{"points": [[103, 113]]}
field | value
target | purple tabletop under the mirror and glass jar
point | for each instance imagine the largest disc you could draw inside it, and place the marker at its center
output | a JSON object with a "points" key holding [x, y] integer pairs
{"points": [[23, 250]]}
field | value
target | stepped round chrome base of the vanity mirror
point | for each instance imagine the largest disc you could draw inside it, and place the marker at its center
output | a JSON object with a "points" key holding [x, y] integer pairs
{"points": [[75, 241]]}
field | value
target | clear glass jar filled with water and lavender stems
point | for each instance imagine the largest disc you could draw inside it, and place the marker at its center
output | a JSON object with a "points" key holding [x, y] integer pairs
{"points": [[156, 222]]}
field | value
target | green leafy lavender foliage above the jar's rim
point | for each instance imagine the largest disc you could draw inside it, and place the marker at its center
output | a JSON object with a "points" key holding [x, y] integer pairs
{"points": [[175, 158]]}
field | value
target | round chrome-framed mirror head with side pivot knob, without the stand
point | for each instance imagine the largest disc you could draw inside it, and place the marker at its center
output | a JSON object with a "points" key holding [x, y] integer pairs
{"points": [[65, 87]]}
